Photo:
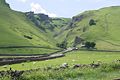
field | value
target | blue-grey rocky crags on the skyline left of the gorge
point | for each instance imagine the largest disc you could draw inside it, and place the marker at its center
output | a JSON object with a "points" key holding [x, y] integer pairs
{"points": [[44, 22]]}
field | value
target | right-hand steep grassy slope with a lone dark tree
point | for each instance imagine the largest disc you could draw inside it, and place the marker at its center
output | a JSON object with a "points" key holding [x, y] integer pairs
{"points": [[105, 33]]}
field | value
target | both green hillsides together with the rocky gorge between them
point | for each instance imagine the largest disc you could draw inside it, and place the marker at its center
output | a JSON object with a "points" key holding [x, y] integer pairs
{"points": [[29, 29]]}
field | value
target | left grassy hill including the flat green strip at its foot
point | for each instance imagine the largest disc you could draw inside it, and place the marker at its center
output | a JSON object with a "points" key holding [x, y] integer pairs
{"points": [[17, 30]]}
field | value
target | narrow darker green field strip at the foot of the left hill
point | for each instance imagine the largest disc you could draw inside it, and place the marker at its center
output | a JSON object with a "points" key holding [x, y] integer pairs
{"points": [[27, 51]]}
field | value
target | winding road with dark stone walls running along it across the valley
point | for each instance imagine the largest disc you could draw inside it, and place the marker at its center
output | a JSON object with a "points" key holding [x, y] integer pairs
{"points": [[37, 57]]}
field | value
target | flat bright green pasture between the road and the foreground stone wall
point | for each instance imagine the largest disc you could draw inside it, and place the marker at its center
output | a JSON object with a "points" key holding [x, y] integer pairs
{"points": [[77, 57]]}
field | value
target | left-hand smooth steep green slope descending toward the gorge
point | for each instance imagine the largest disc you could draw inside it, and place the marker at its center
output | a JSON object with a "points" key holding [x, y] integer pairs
{"points": [[17, 30]]}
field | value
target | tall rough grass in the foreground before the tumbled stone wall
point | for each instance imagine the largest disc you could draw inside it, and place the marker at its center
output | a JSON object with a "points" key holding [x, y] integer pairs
{"points": [[106, 71]]}
